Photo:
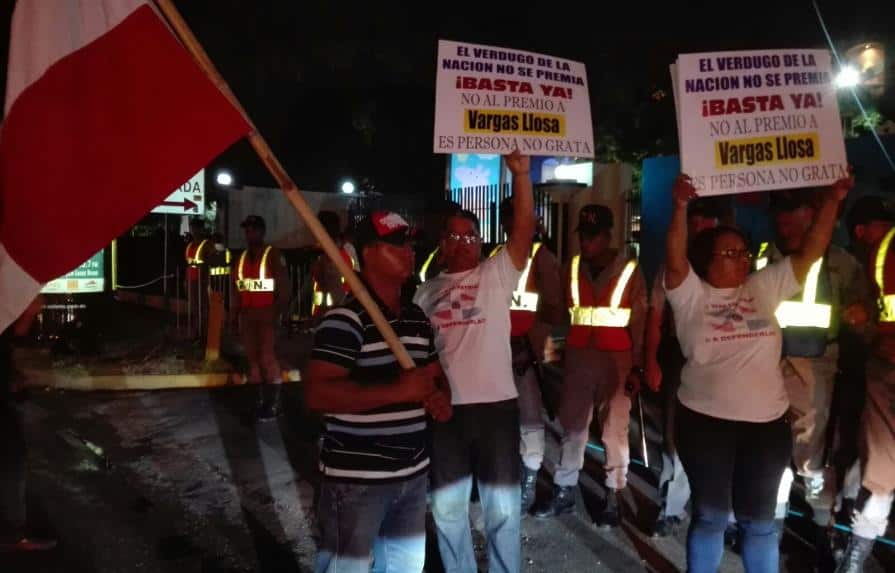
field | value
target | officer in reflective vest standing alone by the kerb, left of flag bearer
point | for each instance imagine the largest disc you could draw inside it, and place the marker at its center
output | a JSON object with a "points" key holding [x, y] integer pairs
{"points": [[260, 282]]}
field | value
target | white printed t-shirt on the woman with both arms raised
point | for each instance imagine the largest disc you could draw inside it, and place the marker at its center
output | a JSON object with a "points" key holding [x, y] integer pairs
{"points": [[732, 344]]}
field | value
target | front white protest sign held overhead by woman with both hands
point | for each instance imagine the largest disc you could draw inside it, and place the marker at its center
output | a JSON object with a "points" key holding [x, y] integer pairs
{"points": [[758, 120]]}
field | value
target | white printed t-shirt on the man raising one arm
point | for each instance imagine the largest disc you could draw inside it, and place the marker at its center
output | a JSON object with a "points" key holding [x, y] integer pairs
{"points": [[470, 313]]}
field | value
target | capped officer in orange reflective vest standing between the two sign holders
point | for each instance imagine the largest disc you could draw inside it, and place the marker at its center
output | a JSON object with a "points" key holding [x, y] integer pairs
{"points": [[603, 361]]}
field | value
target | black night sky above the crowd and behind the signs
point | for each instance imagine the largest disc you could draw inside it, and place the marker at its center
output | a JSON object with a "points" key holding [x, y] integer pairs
{"points": [[347, 89]]}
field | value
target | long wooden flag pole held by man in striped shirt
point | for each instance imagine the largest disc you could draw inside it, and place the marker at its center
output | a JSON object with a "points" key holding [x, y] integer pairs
{"points": [[287, 185]]}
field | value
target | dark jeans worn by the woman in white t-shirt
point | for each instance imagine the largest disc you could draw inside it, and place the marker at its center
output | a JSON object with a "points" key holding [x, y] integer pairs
{"points": [[735, 465]]}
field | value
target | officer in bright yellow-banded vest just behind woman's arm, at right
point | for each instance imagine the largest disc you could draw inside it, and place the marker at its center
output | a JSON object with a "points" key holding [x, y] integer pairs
{"points": [[810, 322]]}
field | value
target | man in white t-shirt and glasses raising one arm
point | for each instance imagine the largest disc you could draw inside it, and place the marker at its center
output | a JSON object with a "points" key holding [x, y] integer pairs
{"points": [[469, 307]]}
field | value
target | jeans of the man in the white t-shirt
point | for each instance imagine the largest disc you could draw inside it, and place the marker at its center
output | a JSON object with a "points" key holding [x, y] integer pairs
{"points": [[480, 440]]}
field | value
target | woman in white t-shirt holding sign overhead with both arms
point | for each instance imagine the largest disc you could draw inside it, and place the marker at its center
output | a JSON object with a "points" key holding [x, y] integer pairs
{"points": [[733, 435]]}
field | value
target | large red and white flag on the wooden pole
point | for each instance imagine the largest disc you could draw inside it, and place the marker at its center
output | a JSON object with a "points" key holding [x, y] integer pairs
{"points": [[106, 113]]}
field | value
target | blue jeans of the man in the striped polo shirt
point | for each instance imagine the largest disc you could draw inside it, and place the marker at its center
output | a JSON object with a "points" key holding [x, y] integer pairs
{"points": [[384, 521]]}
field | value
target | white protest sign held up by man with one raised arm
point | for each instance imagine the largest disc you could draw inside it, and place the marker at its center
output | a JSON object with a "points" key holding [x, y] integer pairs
{"points": [[495, 100]]}
